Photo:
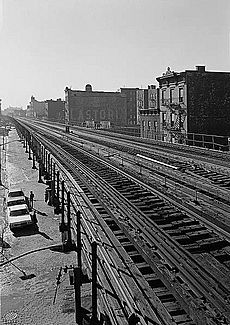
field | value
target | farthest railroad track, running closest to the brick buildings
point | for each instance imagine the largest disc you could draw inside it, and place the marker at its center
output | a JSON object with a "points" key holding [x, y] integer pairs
{"points": [[211, 165]]}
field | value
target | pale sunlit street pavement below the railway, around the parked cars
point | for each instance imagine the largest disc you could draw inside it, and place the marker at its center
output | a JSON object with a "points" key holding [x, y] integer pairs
{"points": [[30, 301]]}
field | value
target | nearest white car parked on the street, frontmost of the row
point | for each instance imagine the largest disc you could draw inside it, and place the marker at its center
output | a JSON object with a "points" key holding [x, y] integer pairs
{"points": [[19, 216]]}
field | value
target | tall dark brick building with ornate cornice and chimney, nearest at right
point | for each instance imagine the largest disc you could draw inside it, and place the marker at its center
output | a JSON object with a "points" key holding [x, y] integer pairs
{"points": [[194, 101]]}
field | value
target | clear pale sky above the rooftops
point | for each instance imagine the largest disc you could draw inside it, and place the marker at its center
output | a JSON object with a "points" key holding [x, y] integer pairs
{"points": [[46, 45]]}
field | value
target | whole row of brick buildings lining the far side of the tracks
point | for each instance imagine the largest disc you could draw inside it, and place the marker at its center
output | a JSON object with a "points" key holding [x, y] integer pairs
{"points": [[184, 106]]}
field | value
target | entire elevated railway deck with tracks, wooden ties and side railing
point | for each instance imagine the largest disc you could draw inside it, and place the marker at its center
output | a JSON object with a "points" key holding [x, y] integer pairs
{"points": [[161, 257]]}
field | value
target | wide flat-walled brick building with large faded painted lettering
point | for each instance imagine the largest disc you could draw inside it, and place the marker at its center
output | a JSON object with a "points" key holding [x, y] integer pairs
{"points": [[95, 107]]}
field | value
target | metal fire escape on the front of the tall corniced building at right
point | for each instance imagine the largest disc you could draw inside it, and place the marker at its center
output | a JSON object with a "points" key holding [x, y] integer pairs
{"points": [[175, 107]]}
